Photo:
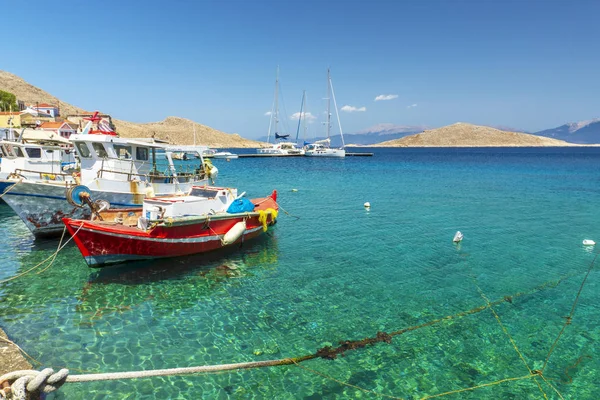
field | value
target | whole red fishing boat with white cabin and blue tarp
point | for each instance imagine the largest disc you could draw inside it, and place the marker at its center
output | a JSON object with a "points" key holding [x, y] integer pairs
{"points": [[208, 218]]}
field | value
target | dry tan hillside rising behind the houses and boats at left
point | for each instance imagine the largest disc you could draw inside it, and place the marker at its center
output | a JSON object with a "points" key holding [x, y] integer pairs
{"points": [[174, 129]]}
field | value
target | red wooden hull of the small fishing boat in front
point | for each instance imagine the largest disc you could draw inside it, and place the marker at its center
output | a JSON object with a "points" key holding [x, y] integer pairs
{"points": [[102, 243]]}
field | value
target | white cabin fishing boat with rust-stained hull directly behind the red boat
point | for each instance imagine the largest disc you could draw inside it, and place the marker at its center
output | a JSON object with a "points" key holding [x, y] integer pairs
{"points": [[119, 170]]}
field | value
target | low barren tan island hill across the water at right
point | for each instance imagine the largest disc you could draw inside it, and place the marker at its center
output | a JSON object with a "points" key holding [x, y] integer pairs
{"points": [[468, 135]]}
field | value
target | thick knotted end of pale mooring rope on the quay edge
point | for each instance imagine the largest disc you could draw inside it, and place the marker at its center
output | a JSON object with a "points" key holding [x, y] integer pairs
{"points": [[26, 382]]}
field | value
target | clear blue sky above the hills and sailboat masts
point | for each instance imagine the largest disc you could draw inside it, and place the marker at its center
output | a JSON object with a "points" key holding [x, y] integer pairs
{"points": [[530, 64]]}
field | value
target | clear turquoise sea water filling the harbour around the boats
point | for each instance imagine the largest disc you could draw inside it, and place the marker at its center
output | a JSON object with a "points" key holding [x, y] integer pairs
{"points": [[337, 273]]}
